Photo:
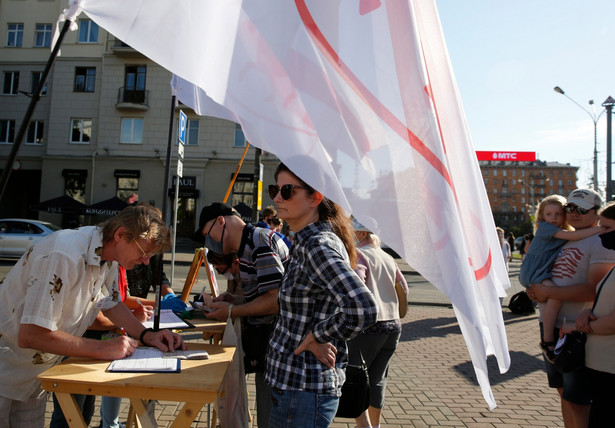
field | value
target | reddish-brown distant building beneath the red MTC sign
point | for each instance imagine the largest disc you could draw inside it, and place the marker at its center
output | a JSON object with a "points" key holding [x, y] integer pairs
{"points": [[515, 188]]}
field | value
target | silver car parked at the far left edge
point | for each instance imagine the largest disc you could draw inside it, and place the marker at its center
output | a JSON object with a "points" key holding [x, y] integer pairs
{"points": [[18, 235]]}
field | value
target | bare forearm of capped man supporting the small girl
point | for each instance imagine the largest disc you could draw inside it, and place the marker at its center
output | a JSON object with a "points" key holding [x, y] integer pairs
{"points": [[584, 292]]}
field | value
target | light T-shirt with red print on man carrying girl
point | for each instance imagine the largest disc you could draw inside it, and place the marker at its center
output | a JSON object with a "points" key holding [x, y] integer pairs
{"points": [[571, 267]]}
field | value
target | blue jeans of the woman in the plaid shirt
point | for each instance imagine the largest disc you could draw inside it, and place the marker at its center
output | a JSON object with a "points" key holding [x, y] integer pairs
{"points": [[301, 409]]}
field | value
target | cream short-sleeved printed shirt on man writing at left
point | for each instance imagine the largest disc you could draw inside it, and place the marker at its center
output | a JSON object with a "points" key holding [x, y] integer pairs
{"points": [[60, 284]]}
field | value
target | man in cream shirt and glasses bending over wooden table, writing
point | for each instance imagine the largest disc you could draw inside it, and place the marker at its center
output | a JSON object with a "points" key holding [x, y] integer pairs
{"points": [[54, 293]]}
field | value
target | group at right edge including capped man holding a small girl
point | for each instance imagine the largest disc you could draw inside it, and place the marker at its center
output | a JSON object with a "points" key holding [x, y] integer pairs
{"points": [[566, 267]]}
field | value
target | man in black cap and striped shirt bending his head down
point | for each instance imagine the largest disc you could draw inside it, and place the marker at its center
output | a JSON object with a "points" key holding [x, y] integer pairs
{"points": [[262, 255]]}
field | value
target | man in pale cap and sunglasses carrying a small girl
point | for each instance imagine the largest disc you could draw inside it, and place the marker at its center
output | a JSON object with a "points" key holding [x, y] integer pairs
{"points": [[577, 269]]}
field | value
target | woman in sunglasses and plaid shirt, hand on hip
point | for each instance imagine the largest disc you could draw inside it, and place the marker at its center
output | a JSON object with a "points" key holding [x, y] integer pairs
{"points": [[322, 304]]}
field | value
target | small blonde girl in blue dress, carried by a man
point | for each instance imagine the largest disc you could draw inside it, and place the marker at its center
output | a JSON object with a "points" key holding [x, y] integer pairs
{"points": [[551, 231]]}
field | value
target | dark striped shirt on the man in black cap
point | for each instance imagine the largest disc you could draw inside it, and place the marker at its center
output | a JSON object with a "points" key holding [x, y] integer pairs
{"points": [[262, 256]]}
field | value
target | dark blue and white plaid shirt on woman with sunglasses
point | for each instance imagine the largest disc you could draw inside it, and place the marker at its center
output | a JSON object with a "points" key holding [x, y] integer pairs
{"points": [[319, 293]]}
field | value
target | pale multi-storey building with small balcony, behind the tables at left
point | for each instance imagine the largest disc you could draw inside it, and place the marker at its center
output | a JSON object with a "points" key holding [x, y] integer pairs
{"points": [[101, 127]]}
